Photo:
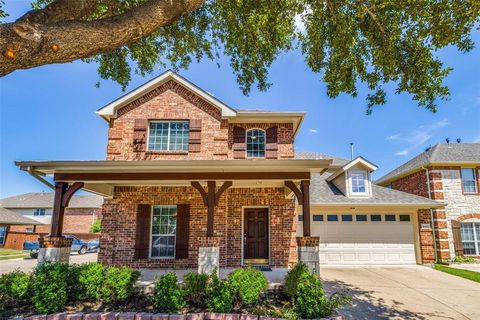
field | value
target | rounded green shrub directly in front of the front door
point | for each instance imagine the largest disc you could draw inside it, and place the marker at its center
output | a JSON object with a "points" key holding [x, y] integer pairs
{"points": [[247, 285]]}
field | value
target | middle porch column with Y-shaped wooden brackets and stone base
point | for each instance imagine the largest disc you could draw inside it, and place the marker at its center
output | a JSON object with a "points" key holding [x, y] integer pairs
{"points": [[209, 246]]}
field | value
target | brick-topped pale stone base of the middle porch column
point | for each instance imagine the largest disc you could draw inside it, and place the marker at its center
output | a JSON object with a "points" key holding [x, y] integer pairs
{"points": [[208, 254]]}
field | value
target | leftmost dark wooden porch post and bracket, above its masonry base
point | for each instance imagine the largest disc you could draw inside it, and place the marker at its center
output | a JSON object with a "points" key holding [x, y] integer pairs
{"points": [[63, 194]]}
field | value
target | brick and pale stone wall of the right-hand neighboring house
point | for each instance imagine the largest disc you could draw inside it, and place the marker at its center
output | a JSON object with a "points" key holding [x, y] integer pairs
{"points": [[445, 186]]}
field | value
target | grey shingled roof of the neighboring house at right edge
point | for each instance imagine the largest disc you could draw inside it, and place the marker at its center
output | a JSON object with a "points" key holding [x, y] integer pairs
{"points": [[440, 154]]}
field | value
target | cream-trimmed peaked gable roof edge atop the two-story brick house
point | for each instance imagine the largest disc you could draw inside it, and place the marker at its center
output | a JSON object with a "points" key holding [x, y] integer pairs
{"points": [[110, 110]]}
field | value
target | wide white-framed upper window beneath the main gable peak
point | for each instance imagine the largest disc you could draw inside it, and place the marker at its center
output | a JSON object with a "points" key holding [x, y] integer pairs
{"points": [[168, 136]]}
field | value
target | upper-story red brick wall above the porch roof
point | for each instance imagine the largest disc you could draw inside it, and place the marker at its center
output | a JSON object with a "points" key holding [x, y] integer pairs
{"points": [[171, 101]]}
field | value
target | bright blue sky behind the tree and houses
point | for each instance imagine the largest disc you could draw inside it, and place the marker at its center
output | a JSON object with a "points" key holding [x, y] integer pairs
{"points": [[47, 113]]}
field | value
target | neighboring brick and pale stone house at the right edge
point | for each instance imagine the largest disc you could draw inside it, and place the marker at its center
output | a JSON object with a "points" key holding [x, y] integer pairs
{"points": [[449, 173]]}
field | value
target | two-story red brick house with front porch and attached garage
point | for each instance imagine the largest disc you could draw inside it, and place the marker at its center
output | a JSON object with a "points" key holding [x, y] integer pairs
{"points": [[193, 183]]}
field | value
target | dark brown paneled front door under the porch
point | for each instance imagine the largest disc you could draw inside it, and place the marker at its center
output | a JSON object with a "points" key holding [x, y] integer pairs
{"points": [[255, 236]]}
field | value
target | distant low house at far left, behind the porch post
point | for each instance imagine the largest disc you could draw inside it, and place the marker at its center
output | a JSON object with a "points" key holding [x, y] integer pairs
{"points": [[82, 211]]}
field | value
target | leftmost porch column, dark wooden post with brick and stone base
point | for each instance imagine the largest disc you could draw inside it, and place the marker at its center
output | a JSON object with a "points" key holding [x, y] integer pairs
{"points": [[55, 247]]}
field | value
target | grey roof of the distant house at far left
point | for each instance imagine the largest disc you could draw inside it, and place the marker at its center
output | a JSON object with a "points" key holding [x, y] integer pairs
{"points": [[45, 200]]}
